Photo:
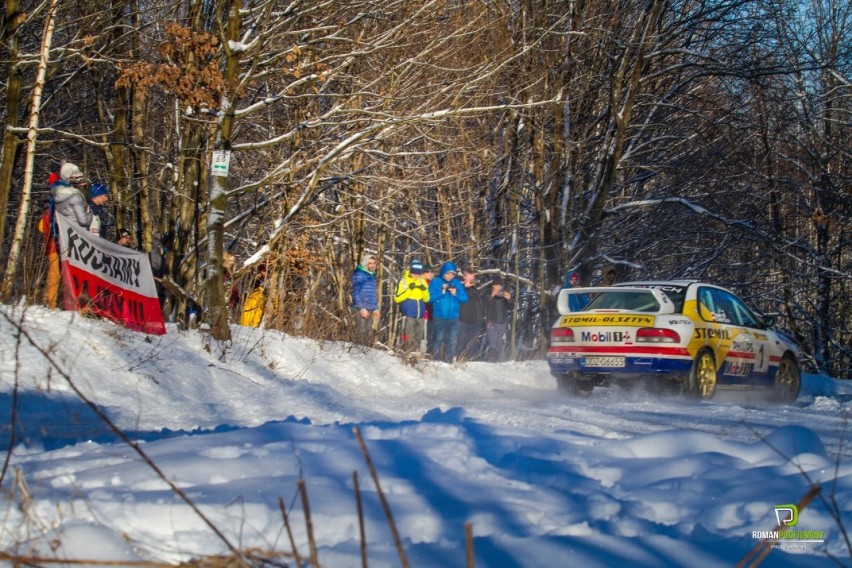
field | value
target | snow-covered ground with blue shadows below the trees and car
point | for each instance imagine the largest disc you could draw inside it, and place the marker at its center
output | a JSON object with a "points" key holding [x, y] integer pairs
{"points": [[617, 479]]}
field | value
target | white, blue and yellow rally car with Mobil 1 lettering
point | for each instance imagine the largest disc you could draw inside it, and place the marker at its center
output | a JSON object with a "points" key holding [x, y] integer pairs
{"points": [[695, 336]]}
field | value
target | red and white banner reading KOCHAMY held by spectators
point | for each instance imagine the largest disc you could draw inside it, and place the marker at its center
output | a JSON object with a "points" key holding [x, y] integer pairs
{"points": [[114, 281]]}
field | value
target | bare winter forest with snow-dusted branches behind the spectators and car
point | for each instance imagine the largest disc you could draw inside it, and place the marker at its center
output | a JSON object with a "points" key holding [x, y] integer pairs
{"points": [[524, 138]]}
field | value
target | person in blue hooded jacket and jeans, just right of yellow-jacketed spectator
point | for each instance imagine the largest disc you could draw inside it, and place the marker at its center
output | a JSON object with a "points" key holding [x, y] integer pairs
{"points": [[446, 293]]}
